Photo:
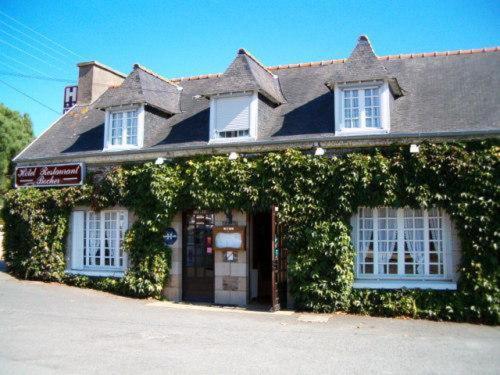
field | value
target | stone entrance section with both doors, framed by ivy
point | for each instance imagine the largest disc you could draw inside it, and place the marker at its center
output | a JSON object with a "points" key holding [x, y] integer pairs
{"points": [[203, 272]]}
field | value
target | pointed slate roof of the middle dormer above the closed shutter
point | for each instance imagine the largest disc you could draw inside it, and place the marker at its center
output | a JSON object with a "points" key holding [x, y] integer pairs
{"points": [[246, 73]]}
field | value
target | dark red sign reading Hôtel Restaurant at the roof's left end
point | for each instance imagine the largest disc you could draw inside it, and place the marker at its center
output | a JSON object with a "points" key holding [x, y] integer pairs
{"points": [[50, 175]]}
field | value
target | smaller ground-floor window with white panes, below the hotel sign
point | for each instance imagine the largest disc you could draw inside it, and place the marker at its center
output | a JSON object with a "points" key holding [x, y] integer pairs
{"points": [[97, 240]]}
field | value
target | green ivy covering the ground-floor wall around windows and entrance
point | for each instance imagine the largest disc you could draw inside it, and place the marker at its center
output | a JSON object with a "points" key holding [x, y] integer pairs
{"points": [[316, 197]]}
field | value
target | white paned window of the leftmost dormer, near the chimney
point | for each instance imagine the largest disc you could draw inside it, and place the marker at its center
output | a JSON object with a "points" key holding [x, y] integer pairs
{"points": [[124, 129]]}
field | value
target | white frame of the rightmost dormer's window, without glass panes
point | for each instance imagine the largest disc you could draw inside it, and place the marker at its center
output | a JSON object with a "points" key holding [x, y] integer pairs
{"points": [[385, 104]]}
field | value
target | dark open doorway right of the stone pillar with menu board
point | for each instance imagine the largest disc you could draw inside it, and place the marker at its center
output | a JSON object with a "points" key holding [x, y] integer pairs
{"points": [[262, 257]]}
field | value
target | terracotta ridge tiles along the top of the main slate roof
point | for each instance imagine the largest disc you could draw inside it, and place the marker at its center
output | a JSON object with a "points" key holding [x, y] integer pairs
{"points": [[330, 62]]}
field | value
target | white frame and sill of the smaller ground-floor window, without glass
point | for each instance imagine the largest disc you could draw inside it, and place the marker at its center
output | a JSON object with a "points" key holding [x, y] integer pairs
{"points": [[83, 235]]}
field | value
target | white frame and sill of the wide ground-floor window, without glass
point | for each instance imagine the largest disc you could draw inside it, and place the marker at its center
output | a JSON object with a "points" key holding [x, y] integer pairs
{"points": [[401, 280]]}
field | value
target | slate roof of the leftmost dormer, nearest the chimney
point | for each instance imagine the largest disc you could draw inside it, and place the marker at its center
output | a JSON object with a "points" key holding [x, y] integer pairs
{"points": [[143, 86]]}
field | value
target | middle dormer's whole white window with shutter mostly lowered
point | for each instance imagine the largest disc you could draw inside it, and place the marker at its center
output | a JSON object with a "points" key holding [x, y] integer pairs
{"points": [[233, 117]]}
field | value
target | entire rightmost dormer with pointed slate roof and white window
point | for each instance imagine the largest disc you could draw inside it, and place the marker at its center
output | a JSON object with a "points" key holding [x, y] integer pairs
{"points": [[363, 92]]}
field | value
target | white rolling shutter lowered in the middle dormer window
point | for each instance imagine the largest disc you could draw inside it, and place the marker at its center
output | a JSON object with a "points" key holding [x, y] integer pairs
{"points": [[233, 113]]}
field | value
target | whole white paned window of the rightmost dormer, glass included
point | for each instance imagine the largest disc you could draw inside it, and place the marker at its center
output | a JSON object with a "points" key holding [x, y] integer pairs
{"points": [[362, 109]]}
